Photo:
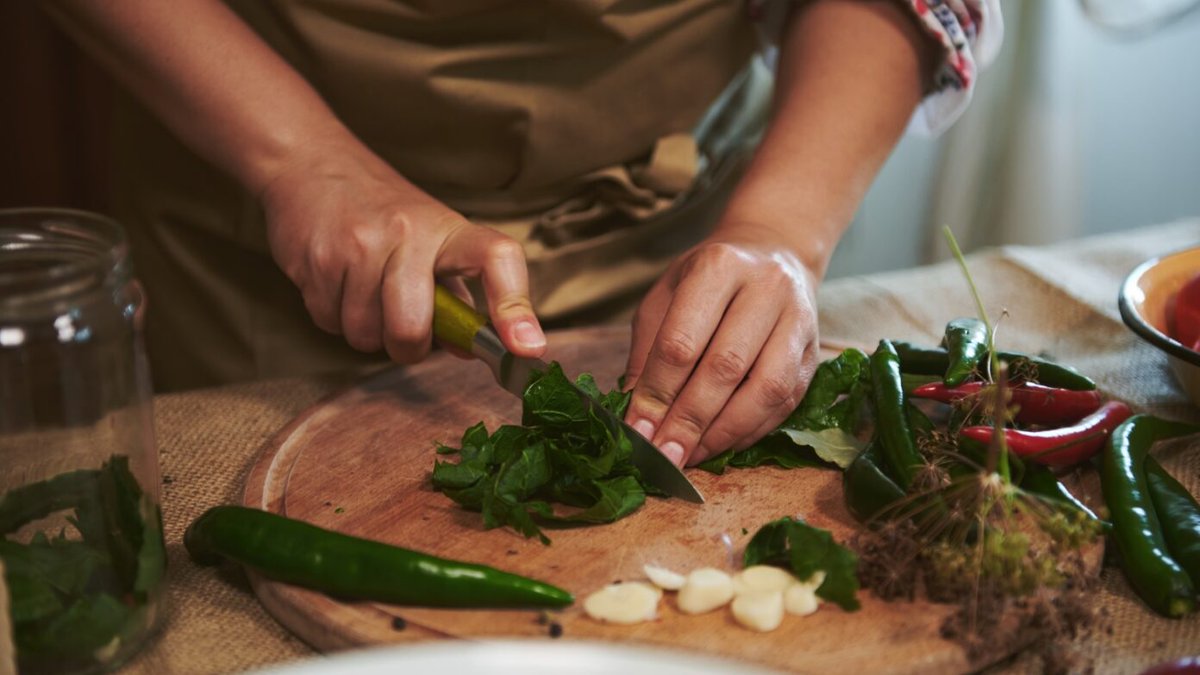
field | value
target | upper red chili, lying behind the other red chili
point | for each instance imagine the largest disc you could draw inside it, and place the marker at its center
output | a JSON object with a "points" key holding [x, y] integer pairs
{"points": [[1036, 404]]}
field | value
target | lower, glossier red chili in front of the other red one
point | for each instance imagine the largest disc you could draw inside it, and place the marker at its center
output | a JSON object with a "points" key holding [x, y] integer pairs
{"points": [[1064, 446]]}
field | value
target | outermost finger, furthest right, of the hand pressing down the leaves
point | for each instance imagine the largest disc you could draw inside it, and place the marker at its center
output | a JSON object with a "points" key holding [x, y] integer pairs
{"points": [[770, 393]]}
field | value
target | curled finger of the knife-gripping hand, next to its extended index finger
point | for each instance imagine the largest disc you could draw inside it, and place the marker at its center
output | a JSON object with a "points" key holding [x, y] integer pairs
{"points": [[407, 296]]}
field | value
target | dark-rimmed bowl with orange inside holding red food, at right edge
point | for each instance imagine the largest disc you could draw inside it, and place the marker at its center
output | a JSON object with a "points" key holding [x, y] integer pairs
{"points": [[1145, 301]]}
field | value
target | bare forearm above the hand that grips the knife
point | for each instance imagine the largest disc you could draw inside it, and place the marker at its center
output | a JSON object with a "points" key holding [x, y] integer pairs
{"points": [[212, 80]]}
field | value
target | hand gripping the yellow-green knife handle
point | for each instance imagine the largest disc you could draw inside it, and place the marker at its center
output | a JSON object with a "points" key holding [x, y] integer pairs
{"points": [[364, 246]]}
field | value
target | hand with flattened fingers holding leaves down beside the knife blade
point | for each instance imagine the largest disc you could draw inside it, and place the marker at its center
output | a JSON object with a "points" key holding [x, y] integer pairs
{"points": [[724, 347]]}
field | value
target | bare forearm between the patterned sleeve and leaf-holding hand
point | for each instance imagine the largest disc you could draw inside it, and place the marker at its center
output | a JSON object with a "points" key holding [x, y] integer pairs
{"points": [[850, 75]]}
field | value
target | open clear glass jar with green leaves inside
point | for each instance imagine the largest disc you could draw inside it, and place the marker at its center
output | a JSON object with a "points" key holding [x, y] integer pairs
{"points": [[83, 549]]}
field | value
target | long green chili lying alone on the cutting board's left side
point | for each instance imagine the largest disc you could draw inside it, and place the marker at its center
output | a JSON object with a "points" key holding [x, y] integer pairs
{"points": [[350, 568]]}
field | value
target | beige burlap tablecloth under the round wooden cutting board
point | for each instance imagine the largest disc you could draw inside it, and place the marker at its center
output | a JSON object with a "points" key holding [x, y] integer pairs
{"points": [[1059, 300]]}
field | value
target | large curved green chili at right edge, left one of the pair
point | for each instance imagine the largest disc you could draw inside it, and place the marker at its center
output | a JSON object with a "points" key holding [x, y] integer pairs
{"points": [[1137, 530]]}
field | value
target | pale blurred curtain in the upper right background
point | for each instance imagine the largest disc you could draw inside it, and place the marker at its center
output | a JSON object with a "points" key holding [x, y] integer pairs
{"points": [[1018, 168]]}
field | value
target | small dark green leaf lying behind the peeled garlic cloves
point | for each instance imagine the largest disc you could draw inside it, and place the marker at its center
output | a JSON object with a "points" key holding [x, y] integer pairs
{"points": [[806, 551]]}
